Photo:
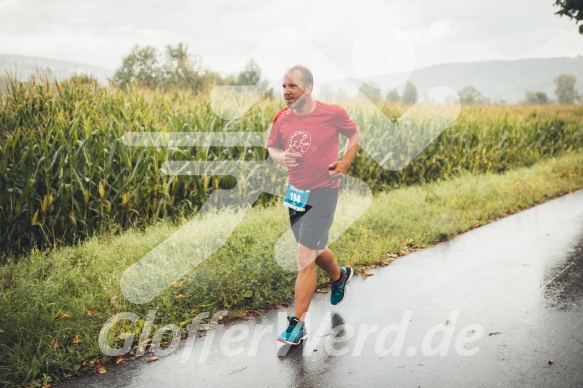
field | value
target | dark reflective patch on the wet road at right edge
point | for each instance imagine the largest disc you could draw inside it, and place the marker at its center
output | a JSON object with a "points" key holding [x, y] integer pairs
{"points": [[564, 283]]}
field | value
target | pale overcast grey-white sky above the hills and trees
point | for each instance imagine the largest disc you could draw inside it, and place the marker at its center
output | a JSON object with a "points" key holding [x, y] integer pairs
{"points": [[102, 32]]}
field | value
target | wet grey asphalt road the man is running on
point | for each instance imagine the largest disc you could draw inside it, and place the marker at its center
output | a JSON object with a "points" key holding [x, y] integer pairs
{"points": [[489, 308]]}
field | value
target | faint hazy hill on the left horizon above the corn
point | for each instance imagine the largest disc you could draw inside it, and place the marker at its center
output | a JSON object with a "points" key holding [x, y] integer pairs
{"points": [[25, 66]]}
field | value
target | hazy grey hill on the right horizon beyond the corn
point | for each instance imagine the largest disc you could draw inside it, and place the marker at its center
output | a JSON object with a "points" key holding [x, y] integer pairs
{"points": [[501, 80]]}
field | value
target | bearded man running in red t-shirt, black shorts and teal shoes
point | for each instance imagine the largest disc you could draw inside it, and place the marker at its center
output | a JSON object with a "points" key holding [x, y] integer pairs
{"points": [[304, 137]]}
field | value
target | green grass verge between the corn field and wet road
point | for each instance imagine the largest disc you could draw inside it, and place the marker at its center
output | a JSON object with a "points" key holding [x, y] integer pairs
{"points": [[241, 275]]}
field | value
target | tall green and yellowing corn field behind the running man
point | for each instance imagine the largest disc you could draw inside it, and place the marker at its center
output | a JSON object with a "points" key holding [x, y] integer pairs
{"points": [[66, 174]]}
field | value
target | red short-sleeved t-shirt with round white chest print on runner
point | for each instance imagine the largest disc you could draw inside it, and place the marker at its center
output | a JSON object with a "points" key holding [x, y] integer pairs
{"points": [[315, 137]]}
